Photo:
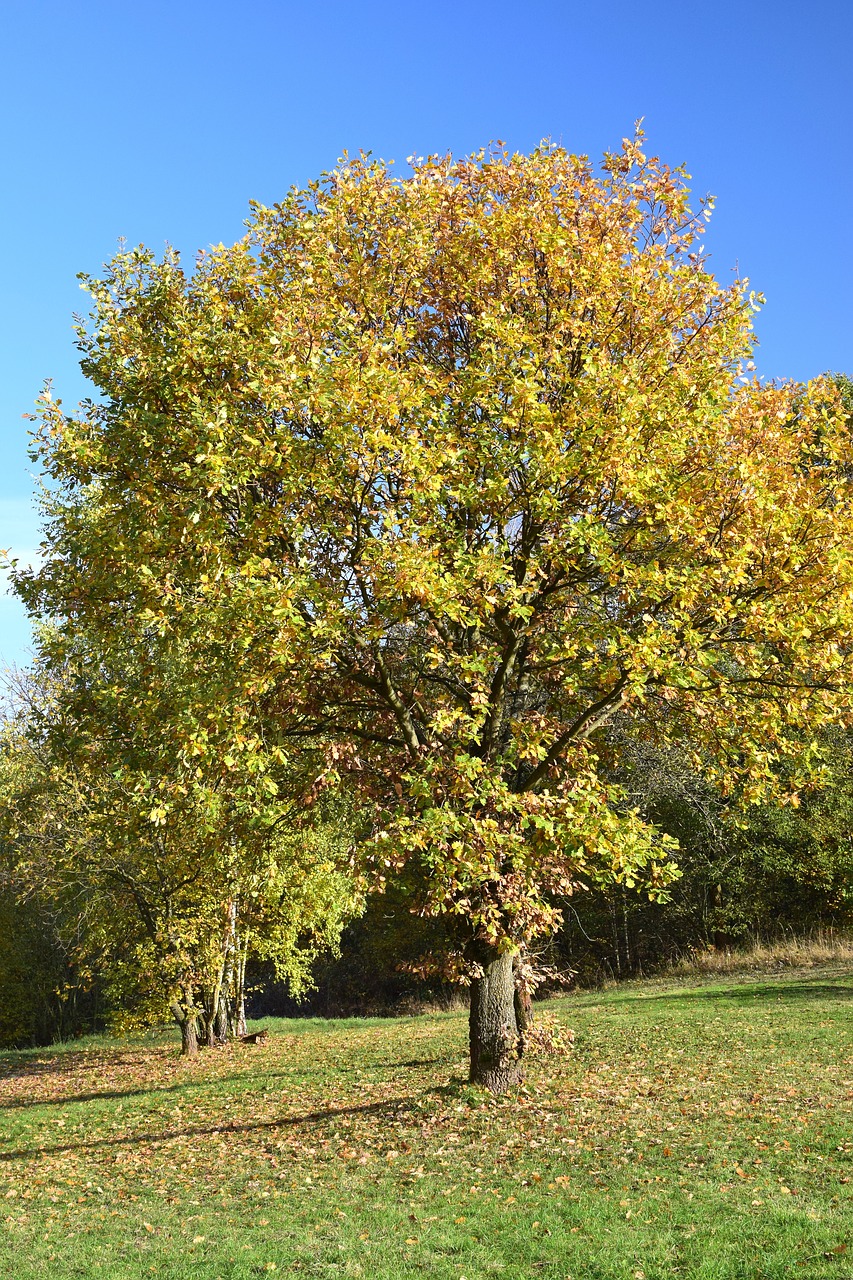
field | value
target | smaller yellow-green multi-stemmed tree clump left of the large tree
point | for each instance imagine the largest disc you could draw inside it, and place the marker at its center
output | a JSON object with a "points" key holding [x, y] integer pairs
{"points": [[162, 885]]}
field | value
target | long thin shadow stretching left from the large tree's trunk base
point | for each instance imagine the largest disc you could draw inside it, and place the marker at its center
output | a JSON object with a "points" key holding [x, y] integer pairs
{"points": [[394, 1108]]}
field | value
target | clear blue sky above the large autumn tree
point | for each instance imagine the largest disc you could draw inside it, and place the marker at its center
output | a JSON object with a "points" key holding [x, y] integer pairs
{"points": [[158, 124]]}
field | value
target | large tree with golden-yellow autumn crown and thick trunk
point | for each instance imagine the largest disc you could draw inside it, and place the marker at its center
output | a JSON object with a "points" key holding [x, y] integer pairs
{"points": [[436, 477]]}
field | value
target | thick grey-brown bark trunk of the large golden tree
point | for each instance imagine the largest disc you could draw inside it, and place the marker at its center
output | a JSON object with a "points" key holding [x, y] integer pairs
{"points": [[492, 1022]]}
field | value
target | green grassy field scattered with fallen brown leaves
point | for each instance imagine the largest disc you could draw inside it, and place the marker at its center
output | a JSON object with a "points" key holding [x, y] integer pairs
{"points": [[699, 1132]]}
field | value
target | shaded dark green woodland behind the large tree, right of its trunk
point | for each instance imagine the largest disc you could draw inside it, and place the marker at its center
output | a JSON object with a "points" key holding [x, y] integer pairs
{"points": [[784, 867]]}
